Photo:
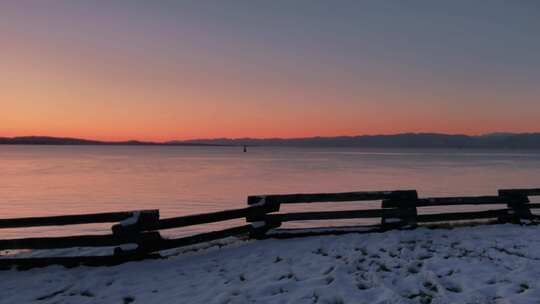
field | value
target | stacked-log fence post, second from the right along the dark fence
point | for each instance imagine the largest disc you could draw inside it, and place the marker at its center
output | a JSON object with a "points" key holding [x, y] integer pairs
{"points": [[404, 202]]}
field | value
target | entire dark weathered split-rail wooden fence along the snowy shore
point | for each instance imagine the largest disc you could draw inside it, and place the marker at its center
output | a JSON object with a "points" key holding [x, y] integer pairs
{"points": [[398, 210]]}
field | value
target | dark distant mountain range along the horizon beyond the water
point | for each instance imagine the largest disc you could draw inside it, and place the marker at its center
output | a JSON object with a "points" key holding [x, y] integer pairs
{"points": [[406, 140]]}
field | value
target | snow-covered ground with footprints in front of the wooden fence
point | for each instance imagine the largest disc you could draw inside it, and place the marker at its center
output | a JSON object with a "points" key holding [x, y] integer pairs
{"points": [[482, 264]]}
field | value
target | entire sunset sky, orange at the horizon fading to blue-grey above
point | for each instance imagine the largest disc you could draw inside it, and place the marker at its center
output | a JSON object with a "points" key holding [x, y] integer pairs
{"points": [[164, 70]]}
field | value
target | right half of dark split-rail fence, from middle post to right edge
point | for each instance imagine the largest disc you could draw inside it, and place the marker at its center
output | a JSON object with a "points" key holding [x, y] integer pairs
{"points": [[399, 209]]}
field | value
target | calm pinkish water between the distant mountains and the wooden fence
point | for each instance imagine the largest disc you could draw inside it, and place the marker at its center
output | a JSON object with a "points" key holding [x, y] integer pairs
{"points": [[50, 180]]}
